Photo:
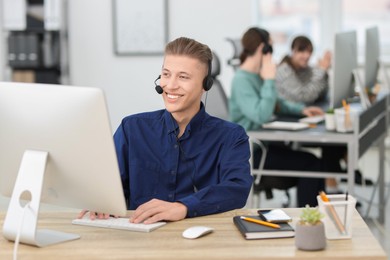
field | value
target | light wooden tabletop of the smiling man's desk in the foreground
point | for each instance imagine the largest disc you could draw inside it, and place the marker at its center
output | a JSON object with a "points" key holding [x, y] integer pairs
{"points": [[167, 243]]}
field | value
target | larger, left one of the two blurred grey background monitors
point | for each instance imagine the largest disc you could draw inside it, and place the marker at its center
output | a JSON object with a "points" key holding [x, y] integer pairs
{"points": [[344, 62]]}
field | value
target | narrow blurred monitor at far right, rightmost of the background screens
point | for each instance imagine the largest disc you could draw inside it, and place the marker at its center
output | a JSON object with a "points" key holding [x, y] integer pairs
{"points": [[372, 56]]}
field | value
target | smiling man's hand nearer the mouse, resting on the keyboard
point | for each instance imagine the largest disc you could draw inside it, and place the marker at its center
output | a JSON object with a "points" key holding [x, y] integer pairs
{"points": [[156, 210]]}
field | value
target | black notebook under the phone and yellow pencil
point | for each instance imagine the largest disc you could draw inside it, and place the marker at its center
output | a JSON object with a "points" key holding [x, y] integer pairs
{"points": [[251, 230]]}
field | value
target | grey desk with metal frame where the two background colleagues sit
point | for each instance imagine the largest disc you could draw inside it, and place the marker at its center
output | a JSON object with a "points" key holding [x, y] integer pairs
{"points": [[370, 128]]}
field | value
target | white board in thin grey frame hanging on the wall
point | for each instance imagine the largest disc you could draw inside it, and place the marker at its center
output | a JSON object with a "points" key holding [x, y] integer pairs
{"points": [[140, 27]]}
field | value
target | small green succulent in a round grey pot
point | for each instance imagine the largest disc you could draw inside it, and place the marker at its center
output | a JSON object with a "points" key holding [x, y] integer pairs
{"points": [[310, 231]]}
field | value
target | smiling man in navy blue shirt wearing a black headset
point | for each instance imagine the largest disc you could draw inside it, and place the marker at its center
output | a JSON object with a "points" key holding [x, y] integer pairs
{"points": [[181, 162]]}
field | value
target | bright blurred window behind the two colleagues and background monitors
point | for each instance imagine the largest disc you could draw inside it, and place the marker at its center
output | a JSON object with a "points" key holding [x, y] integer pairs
{"points": [[320, 20]]}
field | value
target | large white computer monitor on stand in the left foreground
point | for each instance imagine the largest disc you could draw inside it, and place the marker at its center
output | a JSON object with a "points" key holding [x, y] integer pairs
{"points": [[56, 146]]}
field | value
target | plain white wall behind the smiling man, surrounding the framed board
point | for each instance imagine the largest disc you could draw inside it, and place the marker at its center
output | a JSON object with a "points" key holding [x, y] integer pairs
{"points": [[128, 80]]}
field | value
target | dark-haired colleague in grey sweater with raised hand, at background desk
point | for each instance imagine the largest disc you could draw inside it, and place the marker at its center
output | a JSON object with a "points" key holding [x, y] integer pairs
{"points": [[297, 81]]}
